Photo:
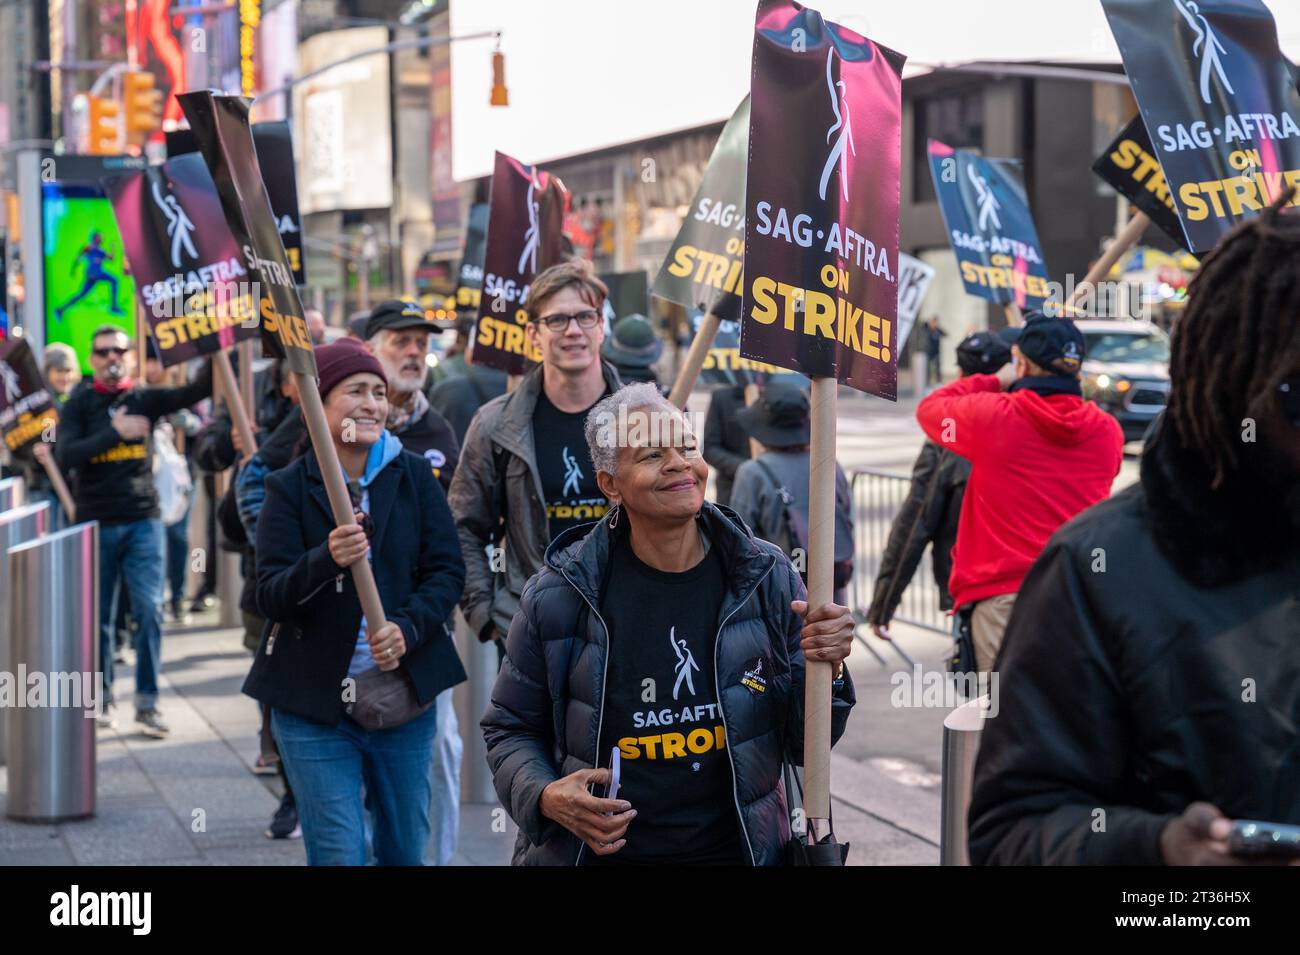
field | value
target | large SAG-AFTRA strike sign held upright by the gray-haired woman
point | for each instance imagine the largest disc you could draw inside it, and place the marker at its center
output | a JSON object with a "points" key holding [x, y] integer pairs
{"points": [[821, 288]]}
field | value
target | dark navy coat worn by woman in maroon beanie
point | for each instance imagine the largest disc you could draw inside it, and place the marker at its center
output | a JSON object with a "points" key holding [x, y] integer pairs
{"points": [[305, 654]]}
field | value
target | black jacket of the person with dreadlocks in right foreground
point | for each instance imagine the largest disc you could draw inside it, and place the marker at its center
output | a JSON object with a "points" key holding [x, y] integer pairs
{"points": [[1152, 661]]}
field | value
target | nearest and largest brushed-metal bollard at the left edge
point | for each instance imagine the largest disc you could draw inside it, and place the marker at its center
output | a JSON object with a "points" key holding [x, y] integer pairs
{"points": [[54, 624]]}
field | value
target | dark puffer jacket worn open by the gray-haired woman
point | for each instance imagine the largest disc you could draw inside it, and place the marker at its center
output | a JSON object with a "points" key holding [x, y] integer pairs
{"points": [[545, 710]]}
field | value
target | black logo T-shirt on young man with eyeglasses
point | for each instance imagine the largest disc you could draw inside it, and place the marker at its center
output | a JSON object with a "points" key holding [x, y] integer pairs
{"points": [[565, 465]]}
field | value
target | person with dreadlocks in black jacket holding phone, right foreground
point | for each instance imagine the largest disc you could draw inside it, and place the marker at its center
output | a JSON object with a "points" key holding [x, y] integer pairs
{"points": [[1150, 674]]}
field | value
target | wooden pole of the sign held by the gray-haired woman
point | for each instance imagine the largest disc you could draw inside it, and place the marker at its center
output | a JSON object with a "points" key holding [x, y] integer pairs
{"points": [[817, 680]]}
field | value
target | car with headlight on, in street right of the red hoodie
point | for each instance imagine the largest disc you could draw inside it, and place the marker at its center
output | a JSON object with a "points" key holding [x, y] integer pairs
{"points": [[1126, 371]]}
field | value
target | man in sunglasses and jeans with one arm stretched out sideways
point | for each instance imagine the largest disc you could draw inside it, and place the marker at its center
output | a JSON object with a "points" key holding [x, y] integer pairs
{"points": [[105, 441]]}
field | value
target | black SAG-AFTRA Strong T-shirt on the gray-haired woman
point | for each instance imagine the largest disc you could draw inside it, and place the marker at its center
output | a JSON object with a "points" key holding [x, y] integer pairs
{"points": [[661, 711]]}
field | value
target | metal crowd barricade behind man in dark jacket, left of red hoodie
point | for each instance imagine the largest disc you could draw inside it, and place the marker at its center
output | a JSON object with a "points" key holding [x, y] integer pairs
{"points": [[878, 496]]}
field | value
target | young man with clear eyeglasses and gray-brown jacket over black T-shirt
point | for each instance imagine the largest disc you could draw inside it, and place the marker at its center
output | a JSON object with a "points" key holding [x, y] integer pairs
{"points": [[526, 474]]}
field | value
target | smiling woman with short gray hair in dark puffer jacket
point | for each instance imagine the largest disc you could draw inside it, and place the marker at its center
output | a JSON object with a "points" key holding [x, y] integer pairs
{"points": [[658, 654]]}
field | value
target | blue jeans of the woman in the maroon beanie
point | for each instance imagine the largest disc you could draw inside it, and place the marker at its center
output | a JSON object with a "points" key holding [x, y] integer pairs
{"points": [[341, 772]]}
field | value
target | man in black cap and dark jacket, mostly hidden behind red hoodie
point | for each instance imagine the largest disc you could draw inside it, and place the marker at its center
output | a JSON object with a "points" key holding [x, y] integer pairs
{"points": [[934, 503]]}
